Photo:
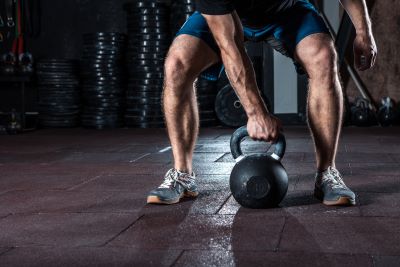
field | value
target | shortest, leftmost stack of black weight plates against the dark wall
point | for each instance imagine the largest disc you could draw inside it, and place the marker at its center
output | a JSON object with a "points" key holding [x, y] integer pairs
{"points": [[59, 94]]}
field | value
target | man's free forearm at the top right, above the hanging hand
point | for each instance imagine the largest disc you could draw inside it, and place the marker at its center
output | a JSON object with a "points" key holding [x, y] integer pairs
{"points": [[358, 12]]}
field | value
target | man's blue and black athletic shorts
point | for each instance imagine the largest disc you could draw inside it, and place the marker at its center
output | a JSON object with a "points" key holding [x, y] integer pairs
{"points": [[285, 31]]}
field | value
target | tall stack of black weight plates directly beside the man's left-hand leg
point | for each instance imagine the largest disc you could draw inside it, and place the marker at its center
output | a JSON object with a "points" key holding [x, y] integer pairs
{"points": [[149, 39]]}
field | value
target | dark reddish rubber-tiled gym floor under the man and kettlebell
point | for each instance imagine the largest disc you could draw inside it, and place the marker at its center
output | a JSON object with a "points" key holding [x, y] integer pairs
{"points": [[77, 197]]}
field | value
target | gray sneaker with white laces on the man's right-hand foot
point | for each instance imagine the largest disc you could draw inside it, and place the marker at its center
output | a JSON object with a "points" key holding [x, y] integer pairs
{"points": [[331, 190]]}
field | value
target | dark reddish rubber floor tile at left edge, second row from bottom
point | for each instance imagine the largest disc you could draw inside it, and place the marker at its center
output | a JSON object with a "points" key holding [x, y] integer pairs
{"points": [[63, 229]]}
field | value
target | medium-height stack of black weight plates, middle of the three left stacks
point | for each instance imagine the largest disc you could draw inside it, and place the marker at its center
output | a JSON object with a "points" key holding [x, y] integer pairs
{"points": [[103, 80]]}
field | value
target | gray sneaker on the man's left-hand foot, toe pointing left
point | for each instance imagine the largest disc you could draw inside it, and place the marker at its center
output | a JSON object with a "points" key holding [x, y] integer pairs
{"points": [[176, 186]]}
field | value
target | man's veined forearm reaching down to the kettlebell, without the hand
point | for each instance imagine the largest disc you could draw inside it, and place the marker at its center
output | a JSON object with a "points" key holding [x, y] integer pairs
{"points": [[228, 35]]}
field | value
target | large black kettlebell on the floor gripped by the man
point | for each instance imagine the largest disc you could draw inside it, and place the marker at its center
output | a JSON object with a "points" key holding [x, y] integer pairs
{"points": [[258, 180]]}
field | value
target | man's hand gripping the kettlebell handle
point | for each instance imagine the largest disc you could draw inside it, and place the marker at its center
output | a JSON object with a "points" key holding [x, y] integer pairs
{"points": [[266, 128]]}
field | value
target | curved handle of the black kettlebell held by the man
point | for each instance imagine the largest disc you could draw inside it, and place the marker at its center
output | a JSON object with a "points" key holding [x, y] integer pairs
{"points": [[241, 133]]}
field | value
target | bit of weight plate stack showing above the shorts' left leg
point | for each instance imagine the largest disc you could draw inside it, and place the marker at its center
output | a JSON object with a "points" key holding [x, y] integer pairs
{"points": [[180, 12]]}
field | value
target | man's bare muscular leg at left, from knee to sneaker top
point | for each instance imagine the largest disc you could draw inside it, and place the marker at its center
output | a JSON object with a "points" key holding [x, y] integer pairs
{"points": [[187, 58]]}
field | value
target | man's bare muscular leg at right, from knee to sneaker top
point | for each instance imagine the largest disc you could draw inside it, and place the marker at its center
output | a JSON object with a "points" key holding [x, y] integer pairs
{"points": [[325, 98]]}
